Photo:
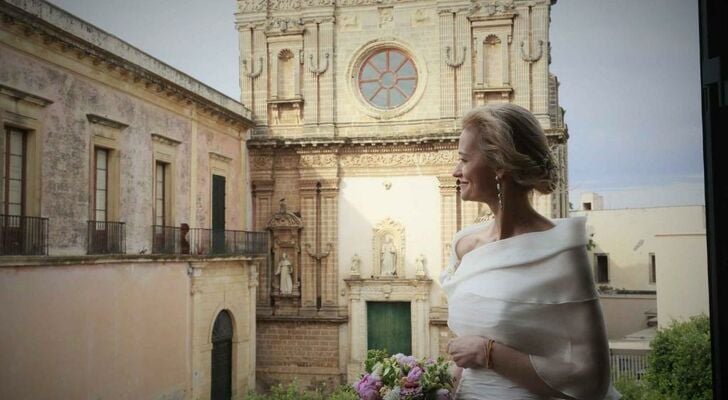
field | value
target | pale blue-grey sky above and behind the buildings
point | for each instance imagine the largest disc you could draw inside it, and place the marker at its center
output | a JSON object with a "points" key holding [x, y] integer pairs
{"points": [[629, 73]]}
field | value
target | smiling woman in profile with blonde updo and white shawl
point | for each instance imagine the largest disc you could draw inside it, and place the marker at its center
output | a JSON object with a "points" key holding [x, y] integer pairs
{"points": [[520, 291]]}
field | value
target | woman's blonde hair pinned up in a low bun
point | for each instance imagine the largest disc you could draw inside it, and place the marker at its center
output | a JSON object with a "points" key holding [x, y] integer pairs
{"points": [[512, 139]]}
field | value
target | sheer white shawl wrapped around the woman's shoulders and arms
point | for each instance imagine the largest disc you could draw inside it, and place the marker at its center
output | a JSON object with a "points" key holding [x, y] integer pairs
{"points": [[535, 293]]}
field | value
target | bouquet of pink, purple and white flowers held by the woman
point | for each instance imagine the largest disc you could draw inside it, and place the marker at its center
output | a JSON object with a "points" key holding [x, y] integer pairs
{"points": [[401, 377]]}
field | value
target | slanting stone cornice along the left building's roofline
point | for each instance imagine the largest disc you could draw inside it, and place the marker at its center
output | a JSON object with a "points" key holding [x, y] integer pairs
{"points": [[59, 29]]}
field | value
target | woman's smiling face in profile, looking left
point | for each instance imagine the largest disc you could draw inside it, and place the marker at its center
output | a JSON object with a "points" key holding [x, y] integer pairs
{"points": [[477, 179]]}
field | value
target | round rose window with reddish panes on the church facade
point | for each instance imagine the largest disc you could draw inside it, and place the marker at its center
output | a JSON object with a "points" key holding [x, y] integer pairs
{"points": [[387, 79]]}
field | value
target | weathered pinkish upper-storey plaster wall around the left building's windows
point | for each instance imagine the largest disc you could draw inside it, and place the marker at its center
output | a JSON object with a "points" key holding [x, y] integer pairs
{"points": [[77, 90]]}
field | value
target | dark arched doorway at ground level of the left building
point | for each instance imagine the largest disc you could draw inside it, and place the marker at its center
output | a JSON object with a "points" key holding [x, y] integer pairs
{"points": [[222, 357]]}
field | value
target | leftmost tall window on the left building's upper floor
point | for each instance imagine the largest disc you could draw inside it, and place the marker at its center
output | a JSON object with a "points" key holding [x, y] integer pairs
{"points": [[13, 172]]}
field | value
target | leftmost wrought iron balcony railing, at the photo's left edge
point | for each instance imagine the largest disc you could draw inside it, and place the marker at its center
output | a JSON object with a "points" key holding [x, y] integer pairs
{"points": [[20, 235]]}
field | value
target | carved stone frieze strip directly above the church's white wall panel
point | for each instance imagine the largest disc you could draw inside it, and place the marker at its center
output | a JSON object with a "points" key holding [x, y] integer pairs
{"points": [[398, 159]]}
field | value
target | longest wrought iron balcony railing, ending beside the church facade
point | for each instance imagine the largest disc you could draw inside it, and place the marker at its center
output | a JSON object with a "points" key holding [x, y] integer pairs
{"points": [[199, 241]]}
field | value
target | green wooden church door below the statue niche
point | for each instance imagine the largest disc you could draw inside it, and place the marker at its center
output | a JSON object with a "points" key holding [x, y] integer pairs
{"points": [[389, 326]]}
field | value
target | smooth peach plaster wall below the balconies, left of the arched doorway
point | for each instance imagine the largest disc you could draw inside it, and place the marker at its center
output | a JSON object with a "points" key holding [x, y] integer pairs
{"points": [[118, 330]]}
